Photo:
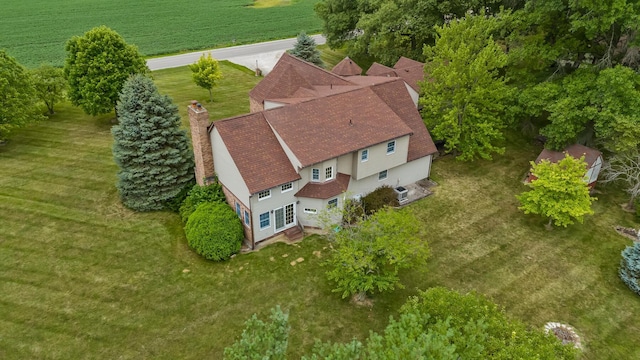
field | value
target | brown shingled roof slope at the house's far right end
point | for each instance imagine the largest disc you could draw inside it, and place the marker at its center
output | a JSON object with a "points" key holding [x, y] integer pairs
{"points": [[395, 95]]}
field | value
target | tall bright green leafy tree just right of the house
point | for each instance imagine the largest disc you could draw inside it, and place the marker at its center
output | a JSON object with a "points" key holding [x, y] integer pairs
{"points": [[465, 99]]}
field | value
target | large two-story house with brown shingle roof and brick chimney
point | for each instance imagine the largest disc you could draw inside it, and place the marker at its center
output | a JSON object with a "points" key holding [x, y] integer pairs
{"points": [[312, 138]]}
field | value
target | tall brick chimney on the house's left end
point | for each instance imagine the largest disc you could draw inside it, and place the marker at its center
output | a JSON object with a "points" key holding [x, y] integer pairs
{"points": [[202, 152]]}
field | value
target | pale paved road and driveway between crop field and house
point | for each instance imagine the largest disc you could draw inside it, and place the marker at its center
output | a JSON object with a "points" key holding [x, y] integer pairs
{"points": [[266, 53]]}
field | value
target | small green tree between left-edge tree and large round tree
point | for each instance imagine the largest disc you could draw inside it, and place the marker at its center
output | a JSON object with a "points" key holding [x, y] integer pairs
{"points": [[50, 85]]}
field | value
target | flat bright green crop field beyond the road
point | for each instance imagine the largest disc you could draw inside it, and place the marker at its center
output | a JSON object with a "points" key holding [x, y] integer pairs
{"points": [[35, 31]]}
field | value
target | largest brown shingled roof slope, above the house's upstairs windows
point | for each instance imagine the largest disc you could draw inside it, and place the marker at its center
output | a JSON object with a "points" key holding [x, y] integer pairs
{"points": [[335, 125]]}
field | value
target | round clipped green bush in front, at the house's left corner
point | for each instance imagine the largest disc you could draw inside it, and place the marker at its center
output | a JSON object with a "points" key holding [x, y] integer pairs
{"points": [[214, 231]]}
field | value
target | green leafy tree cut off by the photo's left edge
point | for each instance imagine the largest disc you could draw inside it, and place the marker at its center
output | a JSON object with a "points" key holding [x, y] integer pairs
{"points": [[17, 96]]}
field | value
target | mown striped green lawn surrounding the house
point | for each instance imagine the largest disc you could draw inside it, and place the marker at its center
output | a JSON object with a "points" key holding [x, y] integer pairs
{"points": [[80, 276]]}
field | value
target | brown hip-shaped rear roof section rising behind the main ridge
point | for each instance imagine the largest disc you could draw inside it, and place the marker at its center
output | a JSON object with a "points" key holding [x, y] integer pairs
{"points": [[290, 74]]}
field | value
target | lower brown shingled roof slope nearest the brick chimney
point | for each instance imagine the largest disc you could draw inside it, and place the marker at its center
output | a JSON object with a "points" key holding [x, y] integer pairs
{"points": [[256, 151]]}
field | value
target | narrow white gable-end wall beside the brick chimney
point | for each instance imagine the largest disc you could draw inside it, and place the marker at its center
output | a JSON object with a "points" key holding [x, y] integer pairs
{"points": [[226, 169]]}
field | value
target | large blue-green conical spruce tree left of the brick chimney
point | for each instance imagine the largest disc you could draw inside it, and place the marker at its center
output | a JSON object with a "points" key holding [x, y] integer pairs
{"points": [[149, 147]]}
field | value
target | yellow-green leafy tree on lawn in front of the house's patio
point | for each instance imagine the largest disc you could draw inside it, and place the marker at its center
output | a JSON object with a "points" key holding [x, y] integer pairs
{"points": [[368, 256]]}
